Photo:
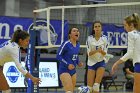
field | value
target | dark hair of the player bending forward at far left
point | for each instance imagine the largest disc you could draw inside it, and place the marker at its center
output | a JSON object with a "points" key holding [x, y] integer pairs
{"points": [[19, 34]]}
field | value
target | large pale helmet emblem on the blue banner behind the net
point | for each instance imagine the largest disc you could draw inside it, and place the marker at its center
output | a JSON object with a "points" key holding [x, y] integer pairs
{"points": [[44, 32]]}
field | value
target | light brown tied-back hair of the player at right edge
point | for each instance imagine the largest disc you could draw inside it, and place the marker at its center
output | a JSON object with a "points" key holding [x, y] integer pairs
{"points": [[133, 19]]}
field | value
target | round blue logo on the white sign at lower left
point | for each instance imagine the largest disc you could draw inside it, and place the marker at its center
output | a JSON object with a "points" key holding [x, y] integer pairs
{"points": [[12, 74]]}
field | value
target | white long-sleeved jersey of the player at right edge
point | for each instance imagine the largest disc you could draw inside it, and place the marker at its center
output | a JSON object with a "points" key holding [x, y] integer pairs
{"points": [[133, 50]]}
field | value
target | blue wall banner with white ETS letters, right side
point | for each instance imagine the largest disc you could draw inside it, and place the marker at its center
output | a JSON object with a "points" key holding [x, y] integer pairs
{"points": [[117, 36]]}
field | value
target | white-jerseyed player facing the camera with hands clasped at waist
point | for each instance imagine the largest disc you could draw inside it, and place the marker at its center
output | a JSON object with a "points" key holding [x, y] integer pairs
{"points": [[97, 46]]}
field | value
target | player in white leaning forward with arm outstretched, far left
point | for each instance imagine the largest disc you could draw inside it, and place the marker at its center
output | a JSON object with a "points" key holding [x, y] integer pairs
{"points": [[10, 51]]}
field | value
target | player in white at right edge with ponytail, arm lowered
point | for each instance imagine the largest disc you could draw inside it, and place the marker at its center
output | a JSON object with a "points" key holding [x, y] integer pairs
{"points": [[132, 26]]}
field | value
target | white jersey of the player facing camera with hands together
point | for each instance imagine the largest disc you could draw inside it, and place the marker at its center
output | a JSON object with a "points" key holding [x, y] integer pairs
{"points": [[93, 44]]}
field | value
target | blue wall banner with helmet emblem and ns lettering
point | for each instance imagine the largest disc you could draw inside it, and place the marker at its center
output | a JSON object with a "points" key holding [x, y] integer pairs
{"points": [[9, 24]]}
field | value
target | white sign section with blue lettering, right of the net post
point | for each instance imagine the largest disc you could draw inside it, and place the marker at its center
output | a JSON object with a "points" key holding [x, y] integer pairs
{"points": [[48, 74]]}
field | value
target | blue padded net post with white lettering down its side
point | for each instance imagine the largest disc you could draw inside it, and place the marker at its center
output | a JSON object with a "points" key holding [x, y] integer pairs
{"points": [[32, 63]]}
